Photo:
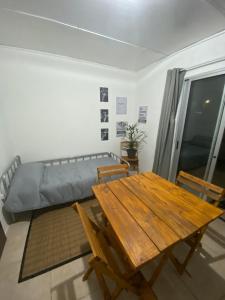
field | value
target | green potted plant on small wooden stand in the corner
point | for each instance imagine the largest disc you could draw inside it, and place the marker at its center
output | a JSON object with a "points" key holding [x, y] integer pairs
{"points": [[134, 137]]}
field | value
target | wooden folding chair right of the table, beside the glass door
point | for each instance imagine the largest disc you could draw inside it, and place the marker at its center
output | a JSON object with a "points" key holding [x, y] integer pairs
{"points": [[214, 192]]}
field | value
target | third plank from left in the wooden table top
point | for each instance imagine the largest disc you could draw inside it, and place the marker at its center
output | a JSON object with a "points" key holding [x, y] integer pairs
{"points": [[152, 198]]}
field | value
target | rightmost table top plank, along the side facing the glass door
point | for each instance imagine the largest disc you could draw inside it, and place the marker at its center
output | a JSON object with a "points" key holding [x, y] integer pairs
{"points": [[188, 200]]}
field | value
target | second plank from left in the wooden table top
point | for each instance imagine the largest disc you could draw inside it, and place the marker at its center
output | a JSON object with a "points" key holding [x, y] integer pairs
{"points": [[158, 231]]}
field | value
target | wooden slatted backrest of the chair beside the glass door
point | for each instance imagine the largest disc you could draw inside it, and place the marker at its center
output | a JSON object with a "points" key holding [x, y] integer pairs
{"points": [[213, 191]]}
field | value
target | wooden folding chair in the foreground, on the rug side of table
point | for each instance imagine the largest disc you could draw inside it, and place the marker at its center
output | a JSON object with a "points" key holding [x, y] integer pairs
{"points": [[104, 263]]}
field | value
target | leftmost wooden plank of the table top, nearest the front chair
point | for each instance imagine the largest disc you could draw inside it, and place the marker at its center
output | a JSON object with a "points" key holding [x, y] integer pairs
{"points": [[134, 241]]}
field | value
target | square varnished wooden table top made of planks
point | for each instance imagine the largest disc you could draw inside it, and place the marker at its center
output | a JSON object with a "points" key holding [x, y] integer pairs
{"points": [[149, 214]]}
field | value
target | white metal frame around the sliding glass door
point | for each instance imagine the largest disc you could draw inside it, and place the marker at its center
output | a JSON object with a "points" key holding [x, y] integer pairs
{"points": [[180, 123]]}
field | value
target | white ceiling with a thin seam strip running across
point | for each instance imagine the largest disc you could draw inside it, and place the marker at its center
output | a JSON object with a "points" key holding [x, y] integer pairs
{"points": [[128, 34]]}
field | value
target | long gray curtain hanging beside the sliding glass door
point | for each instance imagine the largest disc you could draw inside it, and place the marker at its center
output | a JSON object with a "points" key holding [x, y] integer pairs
{"points": [[171, 97]]}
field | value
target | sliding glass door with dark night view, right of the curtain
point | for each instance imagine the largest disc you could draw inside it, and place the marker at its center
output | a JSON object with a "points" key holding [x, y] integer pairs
{"points": [[200, 141]]}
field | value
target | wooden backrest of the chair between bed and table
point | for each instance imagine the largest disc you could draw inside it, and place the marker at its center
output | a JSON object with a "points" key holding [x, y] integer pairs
{"points": [[112, 170]]}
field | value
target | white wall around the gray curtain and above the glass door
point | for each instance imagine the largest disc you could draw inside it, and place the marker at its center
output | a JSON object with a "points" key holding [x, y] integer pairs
{"points": [[151, 83]]}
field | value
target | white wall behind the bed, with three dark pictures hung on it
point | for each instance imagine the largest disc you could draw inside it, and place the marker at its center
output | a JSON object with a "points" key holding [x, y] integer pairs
{"points": [[52, 104]]}
